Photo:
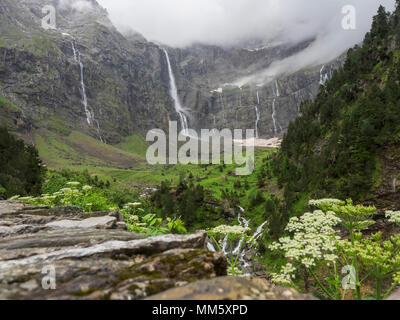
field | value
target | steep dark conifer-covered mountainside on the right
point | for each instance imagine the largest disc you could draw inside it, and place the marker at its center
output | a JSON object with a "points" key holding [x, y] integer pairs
{"points": [[346, 143]]}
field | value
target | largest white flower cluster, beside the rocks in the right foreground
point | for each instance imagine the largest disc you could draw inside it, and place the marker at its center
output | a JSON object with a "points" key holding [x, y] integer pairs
{"points": [[314, 240]]}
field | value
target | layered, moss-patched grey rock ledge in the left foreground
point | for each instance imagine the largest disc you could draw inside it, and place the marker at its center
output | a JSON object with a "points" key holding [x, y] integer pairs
{"points": [[92, 257]]}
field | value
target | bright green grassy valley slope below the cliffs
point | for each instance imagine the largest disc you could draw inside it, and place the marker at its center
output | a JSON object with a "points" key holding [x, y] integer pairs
{"points": [[126, 164]]}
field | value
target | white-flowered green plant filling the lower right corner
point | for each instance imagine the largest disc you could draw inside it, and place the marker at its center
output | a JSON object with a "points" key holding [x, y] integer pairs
{"points": [[315, 249]]}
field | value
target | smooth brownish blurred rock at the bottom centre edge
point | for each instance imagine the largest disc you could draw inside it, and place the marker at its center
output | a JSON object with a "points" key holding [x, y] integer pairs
{"points": [[231, 288]]}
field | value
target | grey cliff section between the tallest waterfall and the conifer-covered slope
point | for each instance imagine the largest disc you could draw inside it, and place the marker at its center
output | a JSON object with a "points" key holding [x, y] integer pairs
{"points": [[207, 77]]}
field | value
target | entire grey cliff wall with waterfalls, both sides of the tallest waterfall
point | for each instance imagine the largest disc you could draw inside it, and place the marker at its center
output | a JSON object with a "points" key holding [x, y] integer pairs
{"points": [[87, 76]]}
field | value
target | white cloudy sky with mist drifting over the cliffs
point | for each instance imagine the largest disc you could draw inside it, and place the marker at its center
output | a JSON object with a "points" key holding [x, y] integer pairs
{"points": [[180, 23]]}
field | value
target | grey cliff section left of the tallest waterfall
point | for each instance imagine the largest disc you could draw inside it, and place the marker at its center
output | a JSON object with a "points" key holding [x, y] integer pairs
{"points": [[40, 72]]}
